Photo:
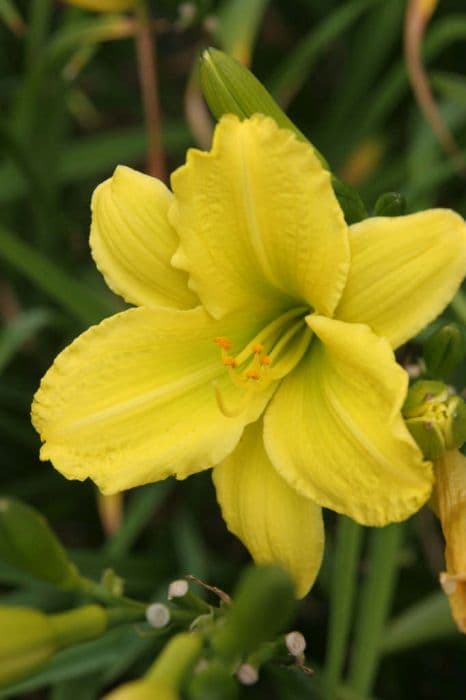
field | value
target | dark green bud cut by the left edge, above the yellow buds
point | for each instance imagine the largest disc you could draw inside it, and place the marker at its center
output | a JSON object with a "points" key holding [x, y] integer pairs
{"points": [[28, 543]]}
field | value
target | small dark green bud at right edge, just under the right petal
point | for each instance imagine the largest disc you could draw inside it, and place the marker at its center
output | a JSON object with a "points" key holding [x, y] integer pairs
{"points": [[444, 350]]}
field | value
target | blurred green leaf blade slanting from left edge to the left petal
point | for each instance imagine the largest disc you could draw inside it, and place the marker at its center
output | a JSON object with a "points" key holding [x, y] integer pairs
{"points": [[74, 297]]}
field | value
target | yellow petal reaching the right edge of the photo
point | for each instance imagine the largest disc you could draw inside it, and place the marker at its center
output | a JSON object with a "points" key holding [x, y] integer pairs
{"points": [[404, 271]]}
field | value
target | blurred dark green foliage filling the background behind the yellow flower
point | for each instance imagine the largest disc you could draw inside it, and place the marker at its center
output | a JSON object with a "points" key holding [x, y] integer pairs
{"points": [[70, 111]]}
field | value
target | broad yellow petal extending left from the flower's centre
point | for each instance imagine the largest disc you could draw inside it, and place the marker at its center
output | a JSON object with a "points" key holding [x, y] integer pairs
{"points": [[132, 400]]}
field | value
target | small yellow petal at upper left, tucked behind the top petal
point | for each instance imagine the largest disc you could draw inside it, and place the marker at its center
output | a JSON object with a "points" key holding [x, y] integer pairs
{"points": [[132, 242]]}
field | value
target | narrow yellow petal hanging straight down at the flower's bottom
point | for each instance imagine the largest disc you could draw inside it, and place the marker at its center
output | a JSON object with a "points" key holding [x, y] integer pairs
{"points": [[276, 524]]}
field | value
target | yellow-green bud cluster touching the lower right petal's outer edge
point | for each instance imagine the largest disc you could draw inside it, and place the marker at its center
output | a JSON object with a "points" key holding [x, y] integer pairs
{"points": [[435, 418]]}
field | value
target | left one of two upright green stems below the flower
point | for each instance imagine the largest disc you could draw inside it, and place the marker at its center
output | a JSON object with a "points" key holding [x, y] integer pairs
{"points": [[348, 547]]}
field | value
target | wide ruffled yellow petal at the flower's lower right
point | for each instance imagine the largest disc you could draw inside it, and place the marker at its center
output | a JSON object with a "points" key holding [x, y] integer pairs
{"points": [[335, 432]]}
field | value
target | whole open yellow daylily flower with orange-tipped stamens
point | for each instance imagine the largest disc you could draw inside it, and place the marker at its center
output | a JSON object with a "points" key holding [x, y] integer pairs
{"points": [[262, 344]]}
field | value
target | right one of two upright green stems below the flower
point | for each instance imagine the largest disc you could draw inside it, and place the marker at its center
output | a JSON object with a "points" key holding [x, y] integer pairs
{"points": [[375, 601]]}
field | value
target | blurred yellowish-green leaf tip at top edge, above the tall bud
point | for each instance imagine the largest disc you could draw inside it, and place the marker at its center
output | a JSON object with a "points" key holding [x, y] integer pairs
{"points": [[238, 22]]}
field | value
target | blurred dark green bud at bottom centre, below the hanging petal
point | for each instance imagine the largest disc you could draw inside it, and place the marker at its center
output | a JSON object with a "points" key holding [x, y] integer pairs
{"points": [[262, 606]]}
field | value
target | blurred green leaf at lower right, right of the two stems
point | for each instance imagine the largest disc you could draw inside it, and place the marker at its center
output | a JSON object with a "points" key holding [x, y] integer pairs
{"points": [[427, 621]]}
